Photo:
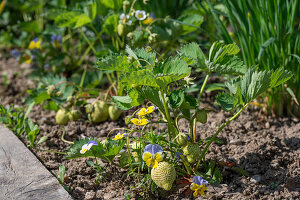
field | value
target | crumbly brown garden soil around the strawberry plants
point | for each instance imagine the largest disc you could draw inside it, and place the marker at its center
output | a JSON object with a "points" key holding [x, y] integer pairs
{"points": [[267, 148]]}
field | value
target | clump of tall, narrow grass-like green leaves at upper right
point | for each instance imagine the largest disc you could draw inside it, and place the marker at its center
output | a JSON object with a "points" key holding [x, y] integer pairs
{"points": [[268, 33]]}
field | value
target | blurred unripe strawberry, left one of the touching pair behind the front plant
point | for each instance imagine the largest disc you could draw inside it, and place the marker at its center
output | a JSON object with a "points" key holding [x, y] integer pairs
{"points": [[100, 112]]}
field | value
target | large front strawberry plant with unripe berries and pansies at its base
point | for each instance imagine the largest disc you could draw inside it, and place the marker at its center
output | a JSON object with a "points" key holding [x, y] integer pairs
{"points": [[173, 153]]}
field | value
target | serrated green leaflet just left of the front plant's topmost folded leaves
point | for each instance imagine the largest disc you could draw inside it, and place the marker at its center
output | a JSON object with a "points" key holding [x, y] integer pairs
{"points": [[193, 52]]}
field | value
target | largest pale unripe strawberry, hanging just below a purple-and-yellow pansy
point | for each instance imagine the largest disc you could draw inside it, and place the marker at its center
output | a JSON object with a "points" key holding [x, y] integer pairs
{"points": [[163, 175]]}
